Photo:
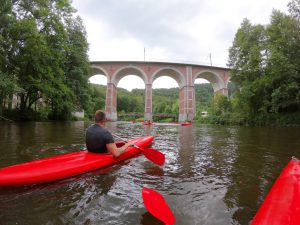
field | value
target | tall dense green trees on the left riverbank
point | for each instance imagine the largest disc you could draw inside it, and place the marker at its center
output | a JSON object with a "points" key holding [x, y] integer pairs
{"points": [[44, 54]]}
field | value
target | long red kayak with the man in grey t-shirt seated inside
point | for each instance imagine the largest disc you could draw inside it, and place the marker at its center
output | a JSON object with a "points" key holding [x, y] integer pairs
{"points": [[65, 165]]}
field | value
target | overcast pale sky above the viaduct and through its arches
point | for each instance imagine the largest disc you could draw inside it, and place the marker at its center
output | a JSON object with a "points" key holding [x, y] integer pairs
{"points": [[188, 31]]}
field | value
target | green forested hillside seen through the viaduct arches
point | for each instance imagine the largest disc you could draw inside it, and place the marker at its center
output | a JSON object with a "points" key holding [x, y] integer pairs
{"points": [[163, 100]]}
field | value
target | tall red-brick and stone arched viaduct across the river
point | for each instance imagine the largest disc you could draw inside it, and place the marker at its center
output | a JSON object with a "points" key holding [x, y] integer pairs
{"points": [[184, 74]]}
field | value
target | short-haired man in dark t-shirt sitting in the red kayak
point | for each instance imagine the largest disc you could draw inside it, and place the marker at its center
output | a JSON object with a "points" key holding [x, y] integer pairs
{"points": [[100, 140]]}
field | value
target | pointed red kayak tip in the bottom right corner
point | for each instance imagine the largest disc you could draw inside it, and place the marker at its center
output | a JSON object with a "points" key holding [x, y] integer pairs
{"points": [[282, 204]]}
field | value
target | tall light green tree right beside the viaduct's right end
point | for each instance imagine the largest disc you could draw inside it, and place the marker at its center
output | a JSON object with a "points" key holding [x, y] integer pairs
{"points": [[247, 60]]}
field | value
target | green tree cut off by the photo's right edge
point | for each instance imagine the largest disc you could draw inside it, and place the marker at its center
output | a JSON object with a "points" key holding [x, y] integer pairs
{"points": [[283, 65]]}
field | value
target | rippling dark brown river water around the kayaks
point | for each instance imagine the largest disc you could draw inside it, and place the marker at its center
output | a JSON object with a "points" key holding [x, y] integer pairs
{"points": [[213, 175]]}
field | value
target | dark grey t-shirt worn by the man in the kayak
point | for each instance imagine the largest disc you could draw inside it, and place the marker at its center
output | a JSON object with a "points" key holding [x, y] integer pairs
{"points": [[96, 138]]}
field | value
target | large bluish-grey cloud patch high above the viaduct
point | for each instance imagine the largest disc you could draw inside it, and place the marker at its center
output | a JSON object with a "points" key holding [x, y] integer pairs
{"points": [[159, 25]]}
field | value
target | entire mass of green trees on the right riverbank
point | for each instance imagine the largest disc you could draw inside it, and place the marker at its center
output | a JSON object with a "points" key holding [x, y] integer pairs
{"points": [[265, 63]]}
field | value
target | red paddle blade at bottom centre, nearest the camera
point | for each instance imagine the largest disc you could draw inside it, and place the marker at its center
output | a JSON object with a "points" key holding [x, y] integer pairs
{"points": [[157, 206]]}
